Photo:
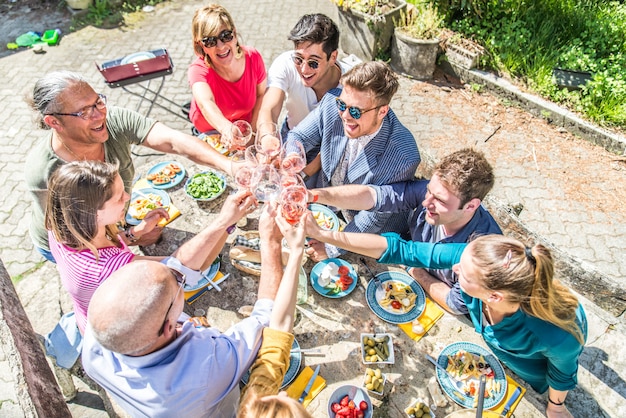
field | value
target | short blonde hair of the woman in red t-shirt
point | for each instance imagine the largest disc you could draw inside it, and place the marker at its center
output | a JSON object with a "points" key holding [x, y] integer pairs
{"points": [[207, 21]]}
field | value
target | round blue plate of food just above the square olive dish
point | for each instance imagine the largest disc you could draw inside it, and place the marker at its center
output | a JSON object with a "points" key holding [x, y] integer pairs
{"points": [[374, 295]]}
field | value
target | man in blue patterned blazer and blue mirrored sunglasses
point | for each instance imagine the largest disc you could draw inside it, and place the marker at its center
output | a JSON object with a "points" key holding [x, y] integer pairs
{"points": [[360, 141]]}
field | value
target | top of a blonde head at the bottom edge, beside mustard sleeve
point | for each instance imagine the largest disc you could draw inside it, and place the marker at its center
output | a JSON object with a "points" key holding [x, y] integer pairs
{"points": [[255, 406]]}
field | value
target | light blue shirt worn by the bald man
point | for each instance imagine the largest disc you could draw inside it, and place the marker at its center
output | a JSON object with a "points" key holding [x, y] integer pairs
{"points": [[197, 375]]}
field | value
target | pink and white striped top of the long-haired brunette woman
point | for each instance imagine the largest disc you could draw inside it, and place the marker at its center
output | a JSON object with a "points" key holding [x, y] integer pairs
{"points": [[81, 274]]}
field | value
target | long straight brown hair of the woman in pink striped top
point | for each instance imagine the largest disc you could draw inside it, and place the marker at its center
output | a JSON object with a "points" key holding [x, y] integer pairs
{"points": [[76, 191]]}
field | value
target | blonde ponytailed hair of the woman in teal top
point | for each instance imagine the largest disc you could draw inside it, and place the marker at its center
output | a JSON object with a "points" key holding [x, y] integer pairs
{"points": [[527, 276]]}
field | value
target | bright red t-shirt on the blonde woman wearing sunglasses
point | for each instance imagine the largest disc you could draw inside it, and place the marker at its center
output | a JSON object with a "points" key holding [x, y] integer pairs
{"points": [[235, 100]]}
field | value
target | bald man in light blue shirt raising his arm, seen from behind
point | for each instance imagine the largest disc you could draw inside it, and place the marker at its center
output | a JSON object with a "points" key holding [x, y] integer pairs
{"points": [[141, 348]]}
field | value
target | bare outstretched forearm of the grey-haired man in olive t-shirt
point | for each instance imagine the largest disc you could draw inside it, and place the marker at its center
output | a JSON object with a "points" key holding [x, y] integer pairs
{"points": [[165, 139]]}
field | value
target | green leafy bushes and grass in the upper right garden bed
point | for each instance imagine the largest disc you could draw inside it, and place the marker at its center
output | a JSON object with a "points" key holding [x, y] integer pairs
{"points": [[528, 38]]}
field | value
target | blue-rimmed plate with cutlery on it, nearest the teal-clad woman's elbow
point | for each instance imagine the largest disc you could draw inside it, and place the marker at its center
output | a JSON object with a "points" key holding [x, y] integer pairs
{"points": [[449, 386]]}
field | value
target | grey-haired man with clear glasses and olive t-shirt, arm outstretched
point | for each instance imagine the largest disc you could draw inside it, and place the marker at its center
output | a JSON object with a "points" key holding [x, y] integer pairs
{"points": [[83, 127]]}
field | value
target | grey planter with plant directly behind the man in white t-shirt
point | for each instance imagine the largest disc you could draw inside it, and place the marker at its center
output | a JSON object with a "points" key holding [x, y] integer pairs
{"points": [[366, 26]]}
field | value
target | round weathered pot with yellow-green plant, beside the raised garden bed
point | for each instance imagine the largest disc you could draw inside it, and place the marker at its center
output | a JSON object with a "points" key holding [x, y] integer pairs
{"points": [[415, 43]]}
